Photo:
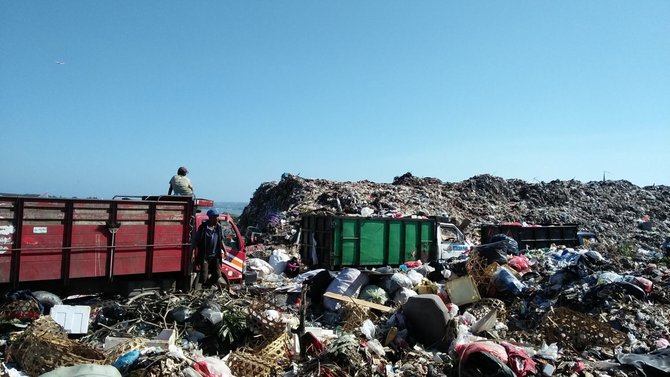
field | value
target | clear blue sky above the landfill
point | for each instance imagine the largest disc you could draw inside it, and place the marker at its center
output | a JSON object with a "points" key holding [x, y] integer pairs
{"points": [[241, 92]]}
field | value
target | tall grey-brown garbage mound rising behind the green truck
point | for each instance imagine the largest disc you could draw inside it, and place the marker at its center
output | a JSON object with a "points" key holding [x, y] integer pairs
{"points": [[622, 214]]}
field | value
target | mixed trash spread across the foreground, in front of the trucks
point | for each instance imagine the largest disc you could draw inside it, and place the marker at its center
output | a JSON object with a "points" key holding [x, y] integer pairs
{"points": [[492, 311]]}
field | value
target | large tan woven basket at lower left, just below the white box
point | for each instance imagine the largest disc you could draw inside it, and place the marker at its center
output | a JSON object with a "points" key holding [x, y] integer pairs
{"points": [[44, 346]]}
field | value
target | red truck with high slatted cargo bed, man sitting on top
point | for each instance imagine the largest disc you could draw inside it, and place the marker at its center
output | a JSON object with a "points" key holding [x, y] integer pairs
{"points": [[93, 245]]}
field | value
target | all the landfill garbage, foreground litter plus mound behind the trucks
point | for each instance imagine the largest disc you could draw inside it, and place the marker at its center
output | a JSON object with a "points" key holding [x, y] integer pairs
{"points": [[601, 309]]}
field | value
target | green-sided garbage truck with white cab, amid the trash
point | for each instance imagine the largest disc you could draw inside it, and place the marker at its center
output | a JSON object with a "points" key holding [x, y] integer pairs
{"points": [[333, 242]]}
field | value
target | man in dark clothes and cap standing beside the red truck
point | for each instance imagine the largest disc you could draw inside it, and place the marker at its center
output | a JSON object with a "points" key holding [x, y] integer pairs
{"points": [[209, 243]]}
